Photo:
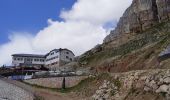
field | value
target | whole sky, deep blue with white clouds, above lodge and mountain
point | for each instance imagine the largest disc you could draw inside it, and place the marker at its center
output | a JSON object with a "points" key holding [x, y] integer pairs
{"points": [[38, 26]]}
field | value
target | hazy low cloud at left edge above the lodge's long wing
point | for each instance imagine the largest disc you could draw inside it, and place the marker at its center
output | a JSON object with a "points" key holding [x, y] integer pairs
{"points": [[18, 44]]}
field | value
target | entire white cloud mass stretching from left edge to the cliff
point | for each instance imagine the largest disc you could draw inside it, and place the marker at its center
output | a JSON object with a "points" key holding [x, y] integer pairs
{"points": [[84, 26]]}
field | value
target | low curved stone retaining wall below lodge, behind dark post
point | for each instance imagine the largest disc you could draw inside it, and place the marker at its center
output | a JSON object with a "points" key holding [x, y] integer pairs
{"points": [[56, 82]]}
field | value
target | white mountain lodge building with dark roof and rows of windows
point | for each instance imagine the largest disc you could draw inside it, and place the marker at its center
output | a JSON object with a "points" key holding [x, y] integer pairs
{"points": [[52, 60]]}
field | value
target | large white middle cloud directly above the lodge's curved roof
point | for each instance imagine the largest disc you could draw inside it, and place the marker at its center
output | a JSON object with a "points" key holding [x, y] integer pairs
{"points": [[77, 36]]}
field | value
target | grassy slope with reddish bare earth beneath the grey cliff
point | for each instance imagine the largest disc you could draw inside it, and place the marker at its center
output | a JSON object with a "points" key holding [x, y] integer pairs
{"points": [[144, 48]]}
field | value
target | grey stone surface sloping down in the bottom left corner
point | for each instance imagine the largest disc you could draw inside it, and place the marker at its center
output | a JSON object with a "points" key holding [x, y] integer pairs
{"points": [[9, 91]]}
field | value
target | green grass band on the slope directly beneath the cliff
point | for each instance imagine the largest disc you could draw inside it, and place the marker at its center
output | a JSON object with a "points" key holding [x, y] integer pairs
{"points": [[155, 34]]}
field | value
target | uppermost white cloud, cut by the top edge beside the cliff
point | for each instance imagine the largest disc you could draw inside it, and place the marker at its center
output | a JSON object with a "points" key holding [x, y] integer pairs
{"points": [[96, 11]]}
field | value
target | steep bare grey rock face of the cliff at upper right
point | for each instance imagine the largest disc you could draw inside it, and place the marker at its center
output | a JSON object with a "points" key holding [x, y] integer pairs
{"points": [[141, 15]]}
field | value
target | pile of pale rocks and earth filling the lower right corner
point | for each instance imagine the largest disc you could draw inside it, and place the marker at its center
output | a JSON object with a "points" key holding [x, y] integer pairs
{"points": [[144, 84]]}
